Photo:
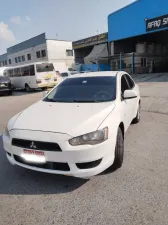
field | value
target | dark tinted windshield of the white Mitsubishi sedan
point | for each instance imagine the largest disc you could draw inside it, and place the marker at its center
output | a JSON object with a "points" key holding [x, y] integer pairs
{"points": [[84, 89]]}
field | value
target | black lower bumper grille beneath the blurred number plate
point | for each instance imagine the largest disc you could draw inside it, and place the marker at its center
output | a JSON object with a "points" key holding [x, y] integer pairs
{"points": [[47, 165]]}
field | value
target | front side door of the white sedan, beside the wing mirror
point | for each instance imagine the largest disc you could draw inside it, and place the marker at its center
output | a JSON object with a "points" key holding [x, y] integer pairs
{"points": [[126, 104]]}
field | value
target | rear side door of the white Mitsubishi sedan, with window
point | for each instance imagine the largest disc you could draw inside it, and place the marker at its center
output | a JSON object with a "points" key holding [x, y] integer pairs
{"points": [[134, 101]]}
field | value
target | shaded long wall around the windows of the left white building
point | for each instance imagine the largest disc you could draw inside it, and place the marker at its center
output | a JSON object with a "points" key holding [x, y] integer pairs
{"points": [[31, 51]]}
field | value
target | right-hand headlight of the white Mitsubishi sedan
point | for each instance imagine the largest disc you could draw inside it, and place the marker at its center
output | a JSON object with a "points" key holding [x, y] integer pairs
{"points": [[92, 138]]}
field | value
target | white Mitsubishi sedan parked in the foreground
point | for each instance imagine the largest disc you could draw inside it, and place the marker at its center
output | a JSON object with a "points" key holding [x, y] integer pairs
{"points": [[78, 128]]}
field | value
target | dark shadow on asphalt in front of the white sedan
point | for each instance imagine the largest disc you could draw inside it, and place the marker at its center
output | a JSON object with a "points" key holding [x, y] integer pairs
{"points": [[15, 180]]}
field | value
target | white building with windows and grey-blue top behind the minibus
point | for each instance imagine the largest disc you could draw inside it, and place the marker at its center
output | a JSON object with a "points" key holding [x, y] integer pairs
{"points": [[39, 49]]}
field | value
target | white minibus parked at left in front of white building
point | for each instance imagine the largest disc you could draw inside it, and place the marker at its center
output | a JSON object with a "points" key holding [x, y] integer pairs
{"points": [[32, 76]]}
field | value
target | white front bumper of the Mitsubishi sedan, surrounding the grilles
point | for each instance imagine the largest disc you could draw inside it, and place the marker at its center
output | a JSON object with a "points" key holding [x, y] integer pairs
{"points": [[73, 156]]}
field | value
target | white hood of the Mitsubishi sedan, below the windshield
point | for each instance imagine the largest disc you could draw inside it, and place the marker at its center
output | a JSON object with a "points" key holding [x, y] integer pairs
{"points": [[70, 118]]}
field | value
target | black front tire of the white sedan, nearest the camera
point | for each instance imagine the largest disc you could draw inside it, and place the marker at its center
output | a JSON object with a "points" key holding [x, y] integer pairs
{"points": [[119, 150]]}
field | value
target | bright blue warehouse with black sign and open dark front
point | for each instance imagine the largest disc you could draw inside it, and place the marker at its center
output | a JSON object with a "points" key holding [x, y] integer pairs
{"points": [[138, 37]]}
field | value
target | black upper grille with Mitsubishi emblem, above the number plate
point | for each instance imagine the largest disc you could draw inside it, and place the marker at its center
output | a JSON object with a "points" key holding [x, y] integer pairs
{"points": [[36, 145]]}
